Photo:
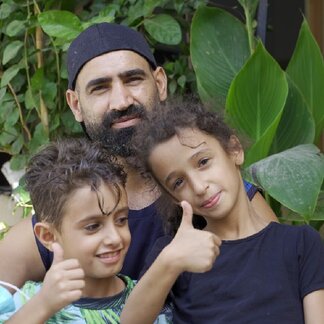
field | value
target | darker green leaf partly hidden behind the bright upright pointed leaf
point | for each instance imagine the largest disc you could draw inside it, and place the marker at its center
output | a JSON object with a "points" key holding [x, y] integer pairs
{"points": [[296, 125]]}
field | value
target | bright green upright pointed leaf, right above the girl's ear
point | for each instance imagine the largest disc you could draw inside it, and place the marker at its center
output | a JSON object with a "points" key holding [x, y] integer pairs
{"points": [[256, 100]]}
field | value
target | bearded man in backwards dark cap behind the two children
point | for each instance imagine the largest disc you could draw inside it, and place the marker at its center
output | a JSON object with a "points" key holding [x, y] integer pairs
{"points": [[113, 80]]}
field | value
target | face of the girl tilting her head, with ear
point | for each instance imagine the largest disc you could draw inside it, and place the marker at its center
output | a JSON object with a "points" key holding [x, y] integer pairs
{"points": [[194, 167]]}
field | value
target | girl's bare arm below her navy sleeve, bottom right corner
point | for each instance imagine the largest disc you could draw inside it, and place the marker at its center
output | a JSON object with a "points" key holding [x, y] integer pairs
{"points": [[314, 307]]}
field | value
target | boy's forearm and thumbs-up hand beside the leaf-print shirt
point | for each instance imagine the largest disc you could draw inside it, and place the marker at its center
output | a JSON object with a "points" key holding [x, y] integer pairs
{"points": [[62, 285]]}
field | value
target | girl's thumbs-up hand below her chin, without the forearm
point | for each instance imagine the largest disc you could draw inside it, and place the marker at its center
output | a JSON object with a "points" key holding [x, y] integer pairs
{"points": [[191, 249]]}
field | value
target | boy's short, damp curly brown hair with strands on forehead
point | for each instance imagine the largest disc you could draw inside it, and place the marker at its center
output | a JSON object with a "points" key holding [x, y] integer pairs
{"points": [[63, 166]]}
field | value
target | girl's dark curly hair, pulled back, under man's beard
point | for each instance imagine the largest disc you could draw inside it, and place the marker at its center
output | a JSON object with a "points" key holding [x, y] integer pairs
{"points": [[162, 123]]}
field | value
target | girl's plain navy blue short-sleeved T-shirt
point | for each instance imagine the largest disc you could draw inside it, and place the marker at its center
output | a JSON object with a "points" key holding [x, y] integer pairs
{"points": [[259, 279]]}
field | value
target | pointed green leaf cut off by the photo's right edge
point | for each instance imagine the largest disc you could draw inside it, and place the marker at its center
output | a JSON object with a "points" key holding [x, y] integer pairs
{"points": [[306, 69]]}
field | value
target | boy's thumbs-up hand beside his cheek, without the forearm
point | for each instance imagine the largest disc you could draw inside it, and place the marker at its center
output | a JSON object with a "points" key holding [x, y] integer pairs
{"points": [[63, 282]]}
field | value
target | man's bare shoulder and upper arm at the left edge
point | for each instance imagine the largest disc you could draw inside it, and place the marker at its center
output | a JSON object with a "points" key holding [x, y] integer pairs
{"points": [[20, 259]]}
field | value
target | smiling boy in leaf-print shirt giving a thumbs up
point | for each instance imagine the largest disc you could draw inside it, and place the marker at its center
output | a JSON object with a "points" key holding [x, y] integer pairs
{"points": [[78, 193]]}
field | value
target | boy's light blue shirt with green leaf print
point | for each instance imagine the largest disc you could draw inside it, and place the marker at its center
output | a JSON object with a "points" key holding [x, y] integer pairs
{"points": [[87, 310]]}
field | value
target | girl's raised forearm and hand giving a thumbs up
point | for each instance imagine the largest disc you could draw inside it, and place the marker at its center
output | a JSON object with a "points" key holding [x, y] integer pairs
{"points": [[191, 250]]}
